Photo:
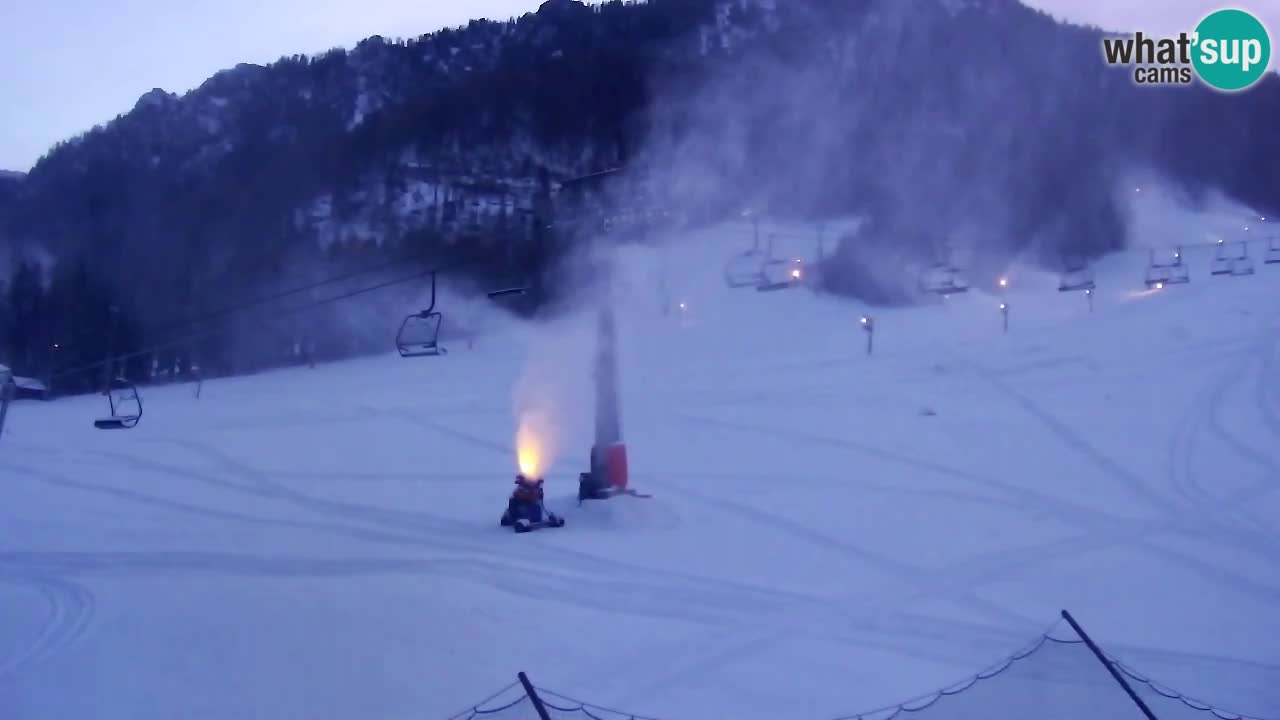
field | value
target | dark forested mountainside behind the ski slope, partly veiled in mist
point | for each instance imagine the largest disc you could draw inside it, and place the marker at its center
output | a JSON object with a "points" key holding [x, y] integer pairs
{"points": [[973, 121]]}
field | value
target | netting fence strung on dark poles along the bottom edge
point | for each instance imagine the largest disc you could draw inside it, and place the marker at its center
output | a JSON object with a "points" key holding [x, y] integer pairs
{"points": [[1055, 677]]}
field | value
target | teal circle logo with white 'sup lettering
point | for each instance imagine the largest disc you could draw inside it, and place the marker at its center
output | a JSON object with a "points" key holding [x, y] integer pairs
{"points": [[1233, 51]]}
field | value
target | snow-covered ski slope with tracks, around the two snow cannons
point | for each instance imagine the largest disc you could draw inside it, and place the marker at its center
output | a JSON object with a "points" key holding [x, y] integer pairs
{"points": [[830, 532]]}
